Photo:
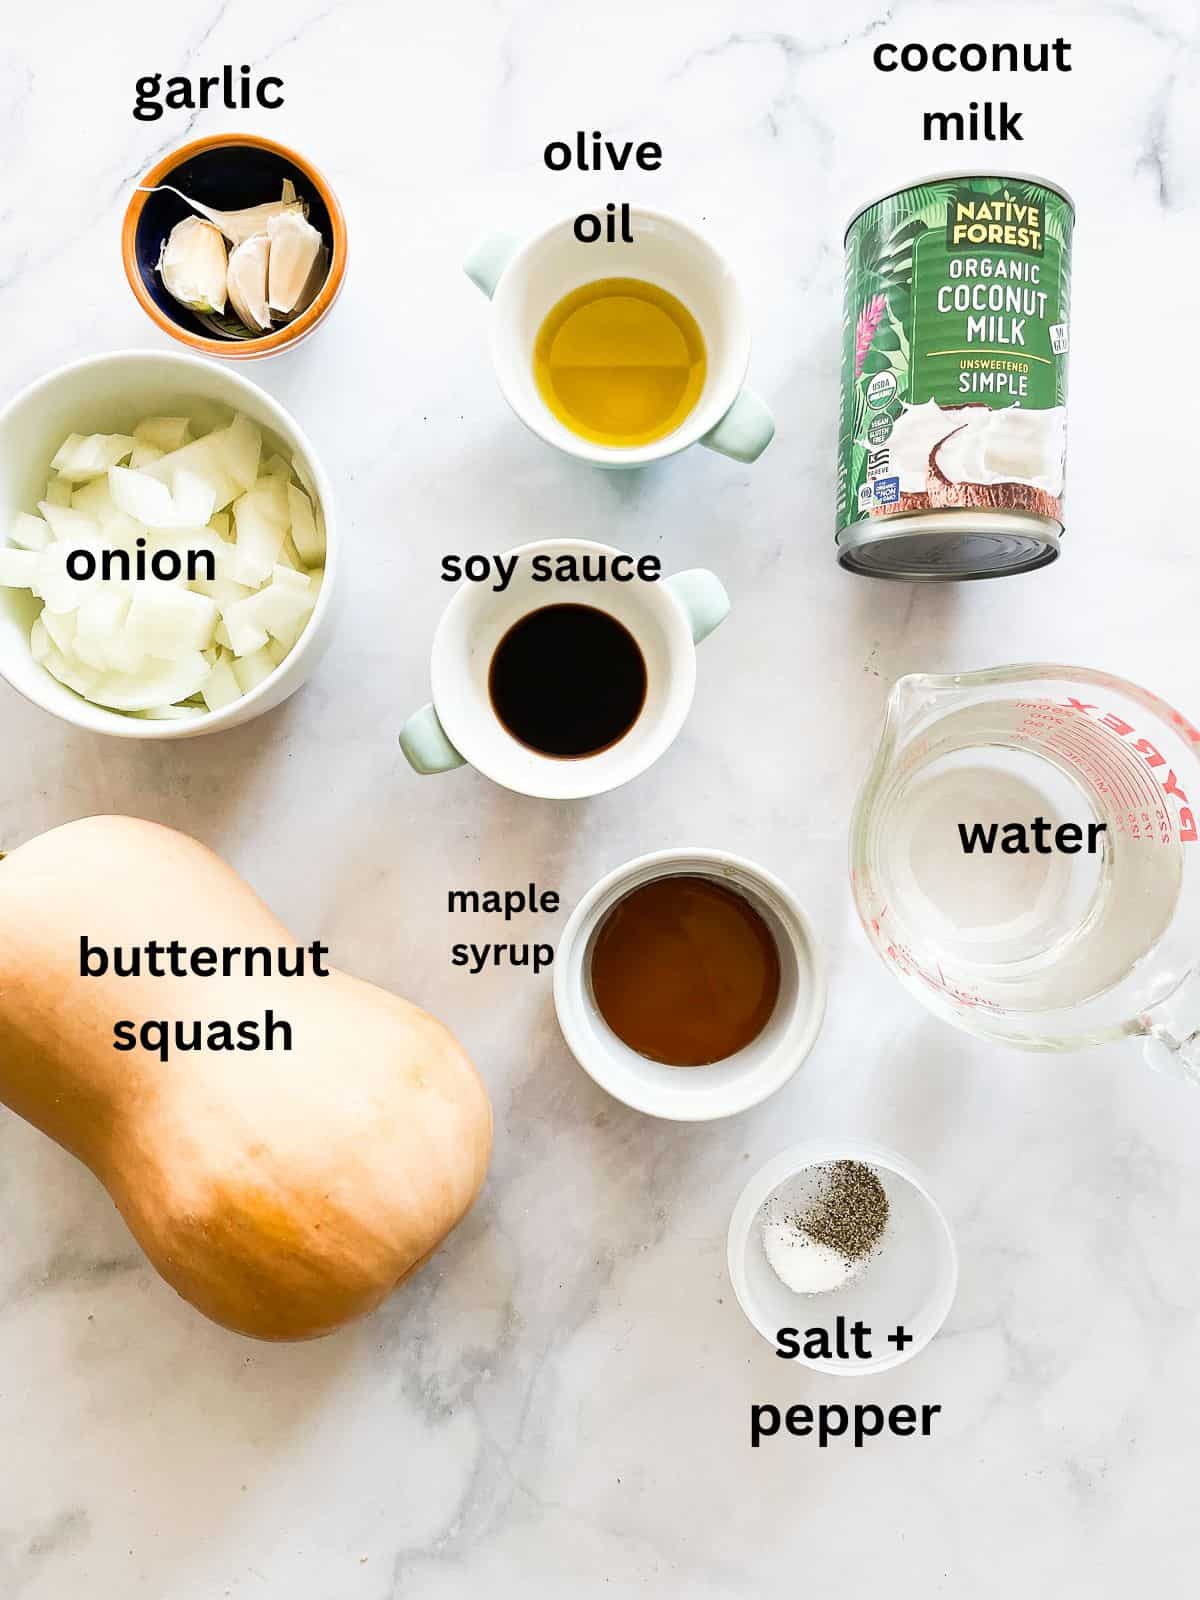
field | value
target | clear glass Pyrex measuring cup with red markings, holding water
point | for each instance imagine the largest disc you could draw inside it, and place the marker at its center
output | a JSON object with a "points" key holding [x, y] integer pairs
{"points": [[1090, 932]]}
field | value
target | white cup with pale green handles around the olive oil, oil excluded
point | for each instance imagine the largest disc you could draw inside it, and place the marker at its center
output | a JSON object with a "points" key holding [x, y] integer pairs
{"points": [[527, 281]]}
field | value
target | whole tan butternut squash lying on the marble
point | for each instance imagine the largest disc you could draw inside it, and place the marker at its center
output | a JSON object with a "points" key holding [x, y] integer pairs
{"points": [[281, 1193]]}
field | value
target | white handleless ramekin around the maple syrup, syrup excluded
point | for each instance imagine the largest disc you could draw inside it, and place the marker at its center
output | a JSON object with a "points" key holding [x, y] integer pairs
{"points": [[726, 1087]]}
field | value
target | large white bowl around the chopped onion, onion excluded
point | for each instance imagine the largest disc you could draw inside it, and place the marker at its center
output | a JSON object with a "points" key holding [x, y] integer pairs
{"points": [[108, 394]]}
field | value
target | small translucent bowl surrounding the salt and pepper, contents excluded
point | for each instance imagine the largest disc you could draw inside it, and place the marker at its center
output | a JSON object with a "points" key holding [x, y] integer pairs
{"points": [[910, 1282]]}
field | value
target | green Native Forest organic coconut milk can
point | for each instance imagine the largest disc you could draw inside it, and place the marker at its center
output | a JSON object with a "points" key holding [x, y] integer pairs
{"points": [[954, 380]]}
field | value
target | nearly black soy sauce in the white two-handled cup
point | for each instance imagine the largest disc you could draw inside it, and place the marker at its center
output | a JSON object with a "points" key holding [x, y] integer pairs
{"points": [[569, 681]]}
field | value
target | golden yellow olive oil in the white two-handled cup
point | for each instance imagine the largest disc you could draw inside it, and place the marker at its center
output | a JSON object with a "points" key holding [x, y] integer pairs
{"points": [[620, 362]]}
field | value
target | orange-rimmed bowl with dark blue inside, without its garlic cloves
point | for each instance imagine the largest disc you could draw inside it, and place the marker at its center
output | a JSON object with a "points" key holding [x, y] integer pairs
{"points": [[228, 172]]}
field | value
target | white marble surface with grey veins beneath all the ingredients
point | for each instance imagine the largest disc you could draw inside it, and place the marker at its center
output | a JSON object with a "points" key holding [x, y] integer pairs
{"points": [[559, 1404]]}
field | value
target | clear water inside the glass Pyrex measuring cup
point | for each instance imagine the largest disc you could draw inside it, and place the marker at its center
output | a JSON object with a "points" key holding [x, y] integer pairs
{"points": [[1038, 929]]}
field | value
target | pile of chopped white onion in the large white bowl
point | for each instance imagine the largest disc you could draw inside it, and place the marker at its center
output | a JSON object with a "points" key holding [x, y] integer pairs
{"points": [[169, 649]]}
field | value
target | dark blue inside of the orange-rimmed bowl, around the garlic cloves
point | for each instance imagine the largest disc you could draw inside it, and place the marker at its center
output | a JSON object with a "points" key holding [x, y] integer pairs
{"points": [[228, 178]]}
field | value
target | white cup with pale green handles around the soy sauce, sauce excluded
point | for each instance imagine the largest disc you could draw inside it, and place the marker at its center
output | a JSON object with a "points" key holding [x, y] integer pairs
{"points": [[666, 617]]}
